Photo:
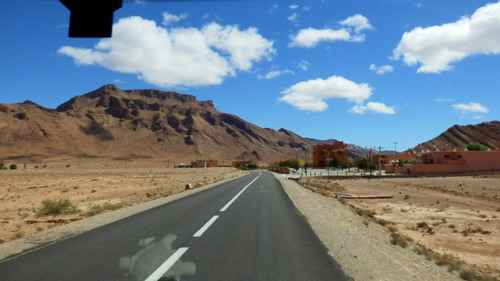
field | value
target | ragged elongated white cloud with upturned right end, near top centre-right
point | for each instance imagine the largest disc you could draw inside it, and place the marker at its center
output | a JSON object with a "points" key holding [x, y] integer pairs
{"points": [[351, 32]]}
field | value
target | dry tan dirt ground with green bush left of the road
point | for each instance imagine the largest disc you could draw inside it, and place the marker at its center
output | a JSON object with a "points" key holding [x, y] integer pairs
{"points": [[23, 191]]}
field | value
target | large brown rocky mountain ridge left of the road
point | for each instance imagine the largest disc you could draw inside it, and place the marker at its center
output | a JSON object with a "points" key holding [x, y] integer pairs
{"points": [[110, 123]]}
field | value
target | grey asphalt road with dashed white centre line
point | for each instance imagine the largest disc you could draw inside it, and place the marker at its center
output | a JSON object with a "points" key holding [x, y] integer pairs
{"points": [[246, 229]]}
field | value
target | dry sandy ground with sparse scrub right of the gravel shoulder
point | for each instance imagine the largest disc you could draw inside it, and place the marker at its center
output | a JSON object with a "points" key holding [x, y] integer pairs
{"points": [[458, 216]]}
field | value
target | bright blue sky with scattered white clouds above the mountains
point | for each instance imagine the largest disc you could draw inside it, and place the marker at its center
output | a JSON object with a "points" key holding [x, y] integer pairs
{"points": [[366, 72]]}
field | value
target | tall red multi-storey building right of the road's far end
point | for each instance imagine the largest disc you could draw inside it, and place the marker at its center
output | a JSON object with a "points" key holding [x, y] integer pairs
{"points": [[324, 153]]}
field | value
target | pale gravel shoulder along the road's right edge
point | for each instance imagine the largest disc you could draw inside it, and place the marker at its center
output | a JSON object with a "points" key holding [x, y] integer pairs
{"points": [[362, 248]]}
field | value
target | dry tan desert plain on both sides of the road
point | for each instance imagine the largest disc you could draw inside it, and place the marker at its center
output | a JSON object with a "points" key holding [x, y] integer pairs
{"points": [[458, 216]]}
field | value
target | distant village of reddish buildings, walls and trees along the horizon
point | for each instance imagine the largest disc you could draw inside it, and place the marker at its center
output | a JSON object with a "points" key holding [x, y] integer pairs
{"points": [[459, 160]]}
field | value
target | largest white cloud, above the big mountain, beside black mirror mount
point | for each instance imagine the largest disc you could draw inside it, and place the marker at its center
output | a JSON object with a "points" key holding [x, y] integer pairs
{"points": [[177, 56]]}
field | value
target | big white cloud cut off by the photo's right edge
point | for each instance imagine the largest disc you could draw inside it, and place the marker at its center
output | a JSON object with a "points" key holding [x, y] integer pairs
{"points": [[437, 47]]}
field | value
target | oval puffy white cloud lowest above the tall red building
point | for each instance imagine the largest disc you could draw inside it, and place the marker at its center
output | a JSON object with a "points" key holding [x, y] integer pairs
{"points": [[311, 95]]}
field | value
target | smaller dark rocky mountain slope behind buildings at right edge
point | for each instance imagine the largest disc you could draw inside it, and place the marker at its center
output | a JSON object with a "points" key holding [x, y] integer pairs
{"points": [[487, 134]]}
